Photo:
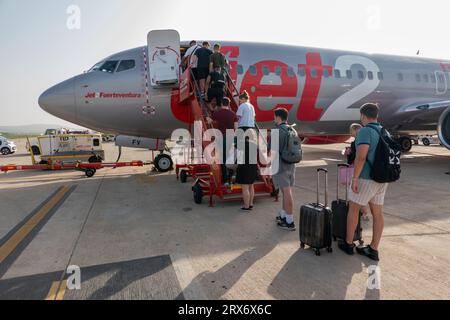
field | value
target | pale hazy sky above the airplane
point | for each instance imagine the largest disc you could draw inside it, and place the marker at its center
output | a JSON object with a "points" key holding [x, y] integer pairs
{"points": [[45, 42]]}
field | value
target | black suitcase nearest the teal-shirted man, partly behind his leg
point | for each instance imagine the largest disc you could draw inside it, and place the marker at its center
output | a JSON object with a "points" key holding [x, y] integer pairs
{"points": [[339, 207]]}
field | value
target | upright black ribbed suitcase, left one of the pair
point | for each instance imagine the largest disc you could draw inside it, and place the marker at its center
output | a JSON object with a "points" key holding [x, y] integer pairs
{"points": [[315, 221]]}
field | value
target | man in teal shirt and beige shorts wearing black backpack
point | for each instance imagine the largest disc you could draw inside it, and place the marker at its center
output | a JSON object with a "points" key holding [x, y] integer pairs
{"points": [[377, 163]]}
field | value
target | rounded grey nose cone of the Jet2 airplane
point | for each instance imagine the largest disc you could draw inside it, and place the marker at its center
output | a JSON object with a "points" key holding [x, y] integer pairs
{"points": [[59, 100]]}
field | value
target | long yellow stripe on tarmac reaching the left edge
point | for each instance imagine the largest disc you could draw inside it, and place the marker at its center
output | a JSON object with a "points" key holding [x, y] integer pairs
{"points": [[8, 247]]}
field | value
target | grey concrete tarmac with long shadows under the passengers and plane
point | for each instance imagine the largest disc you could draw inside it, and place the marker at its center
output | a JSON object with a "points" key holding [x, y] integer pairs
{"points": [[137, 234]]}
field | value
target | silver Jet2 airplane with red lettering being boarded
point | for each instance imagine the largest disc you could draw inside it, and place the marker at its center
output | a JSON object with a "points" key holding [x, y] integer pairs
{"points": [[136, 92]]}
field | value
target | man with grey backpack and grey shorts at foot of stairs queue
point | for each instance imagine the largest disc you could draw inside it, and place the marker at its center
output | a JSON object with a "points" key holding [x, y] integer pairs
{"points": [[290, 153]]}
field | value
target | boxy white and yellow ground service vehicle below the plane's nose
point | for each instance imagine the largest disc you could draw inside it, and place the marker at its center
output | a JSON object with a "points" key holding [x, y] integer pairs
{"points": [[67, 148]]}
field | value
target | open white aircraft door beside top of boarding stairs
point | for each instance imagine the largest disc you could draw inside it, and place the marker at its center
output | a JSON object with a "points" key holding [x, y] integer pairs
{"points": [[163, 57]]}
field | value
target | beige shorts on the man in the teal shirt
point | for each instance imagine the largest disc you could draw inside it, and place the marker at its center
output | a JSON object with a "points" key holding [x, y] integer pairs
{"points": [[369, 192]]}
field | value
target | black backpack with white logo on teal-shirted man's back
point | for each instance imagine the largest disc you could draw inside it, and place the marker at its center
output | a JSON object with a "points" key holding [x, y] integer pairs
{"points": [[386, 165]]}
